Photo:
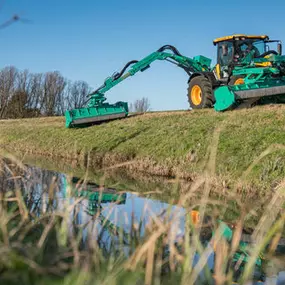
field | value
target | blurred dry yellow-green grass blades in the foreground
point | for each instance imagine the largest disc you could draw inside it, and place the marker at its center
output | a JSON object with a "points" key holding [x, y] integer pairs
{"points": [[44, 241]]}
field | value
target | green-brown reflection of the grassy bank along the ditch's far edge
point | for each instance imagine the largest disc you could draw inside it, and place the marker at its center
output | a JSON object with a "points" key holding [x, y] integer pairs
{"points": [[159, 188]]}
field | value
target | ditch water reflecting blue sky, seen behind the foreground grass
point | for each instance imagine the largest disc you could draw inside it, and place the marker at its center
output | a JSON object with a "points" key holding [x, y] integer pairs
{"points": [[115, 219]]}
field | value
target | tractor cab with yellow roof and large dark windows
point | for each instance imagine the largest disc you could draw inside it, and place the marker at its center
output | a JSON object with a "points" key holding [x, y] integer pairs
{"points": [[232, 50]]}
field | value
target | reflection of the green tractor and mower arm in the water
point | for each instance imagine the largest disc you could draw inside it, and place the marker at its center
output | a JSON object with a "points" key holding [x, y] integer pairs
{"points": [[100, 202]]}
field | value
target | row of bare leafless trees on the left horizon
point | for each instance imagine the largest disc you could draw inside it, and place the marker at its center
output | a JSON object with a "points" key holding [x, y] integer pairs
{"points": [[24, 94]]}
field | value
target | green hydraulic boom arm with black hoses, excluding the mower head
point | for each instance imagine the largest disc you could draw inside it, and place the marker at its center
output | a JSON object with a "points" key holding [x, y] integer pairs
{"points": [[197, 64]]}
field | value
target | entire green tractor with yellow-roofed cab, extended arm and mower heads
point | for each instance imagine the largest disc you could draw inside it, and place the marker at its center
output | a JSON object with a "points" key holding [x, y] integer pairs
{"points": [[247, 72]]}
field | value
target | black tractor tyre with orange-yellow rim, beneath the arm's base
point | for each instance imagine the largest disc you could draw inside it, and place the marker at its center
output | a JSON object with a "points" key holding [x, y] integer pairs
{"points": [[206, 94]]}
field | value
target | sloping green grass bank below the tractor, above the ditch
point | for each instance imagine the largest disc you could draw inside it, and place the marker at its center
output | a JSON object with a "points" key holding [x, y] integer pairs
{"points": [[169, 144]]}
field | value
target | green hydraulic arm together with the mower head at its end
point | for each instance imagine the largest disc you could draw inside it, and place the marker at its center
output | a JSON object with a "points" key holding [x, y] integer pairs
{"points": [[98, 110]]}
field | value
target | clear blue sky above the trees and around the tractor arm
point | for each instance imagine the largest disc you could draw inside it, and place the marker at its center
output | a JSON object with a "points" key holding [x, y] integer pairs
{"points": [[89, 40]]}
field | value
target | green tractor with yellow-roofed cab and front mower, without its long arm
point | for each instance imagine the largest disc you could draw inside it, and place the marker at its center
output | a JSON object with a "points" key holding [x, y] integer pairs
{"points": [[247, 72]]}
